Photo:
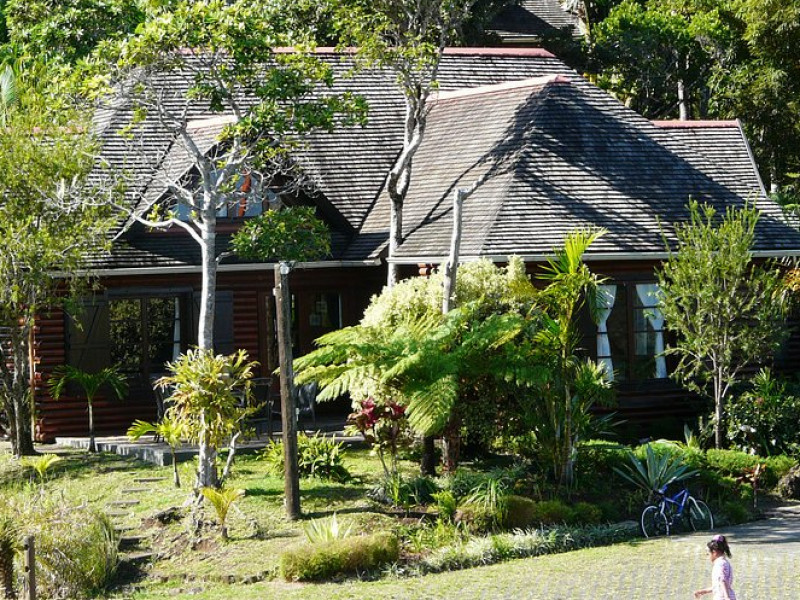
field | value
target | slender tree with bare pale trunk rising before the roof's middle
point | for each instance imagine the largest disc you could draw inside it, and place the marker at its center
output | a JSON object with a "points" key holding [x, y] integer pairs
{"points": [[409, 38]]}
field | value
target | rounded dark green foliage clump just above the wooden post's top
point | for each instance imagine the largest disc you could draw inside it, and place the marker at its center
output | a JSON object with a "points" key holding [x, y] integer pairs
{"points": [[291, 234]]}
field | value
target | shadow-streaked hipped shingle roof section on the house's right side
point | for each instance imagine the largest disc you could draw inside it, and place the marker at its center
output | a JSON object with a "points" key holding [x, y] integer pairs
{"points": [[563, 155]]}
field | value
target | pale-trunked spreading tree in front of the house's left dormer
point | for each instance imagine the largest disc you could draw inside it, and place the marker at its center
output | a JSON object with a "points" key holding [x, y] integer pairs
{"points": [[221, 53]]}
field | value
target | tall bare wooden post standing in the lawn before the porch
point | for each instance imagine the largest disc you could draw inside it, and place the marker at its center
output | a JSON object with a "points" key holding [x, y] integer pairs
{"points": [[288, 412]]}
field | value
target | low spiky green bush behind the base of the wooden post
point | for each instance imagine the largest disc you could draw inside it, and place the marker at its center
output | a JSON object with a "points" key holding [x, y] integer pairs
{"points": [[317, 456]]}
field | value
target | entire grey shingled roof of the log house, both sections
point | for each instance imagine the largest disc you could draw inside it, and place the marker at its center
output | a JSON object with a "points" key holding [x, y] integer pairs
{"points": [[562, 154]]}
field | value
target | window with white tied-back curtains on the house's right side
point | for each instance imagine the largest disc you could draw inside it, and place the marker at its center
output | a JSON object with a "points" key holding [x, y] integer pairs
{"points": [[630, 332]]}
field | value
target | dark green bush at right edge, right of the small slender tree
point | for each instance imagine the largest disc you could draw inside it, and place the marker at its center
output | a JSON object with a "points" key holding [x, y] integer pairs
{"points": [[764, 418]]}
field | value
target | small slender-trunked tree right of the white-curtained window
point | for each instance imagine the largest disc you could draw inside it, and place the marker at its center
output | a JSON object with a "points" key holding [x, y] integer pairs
{"points": [[726, 311]]}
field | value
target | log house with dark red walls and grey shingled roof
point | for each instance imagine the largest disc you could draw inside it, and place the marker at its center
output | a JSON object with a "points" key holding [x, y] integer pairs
{"points": [[556, 154]]}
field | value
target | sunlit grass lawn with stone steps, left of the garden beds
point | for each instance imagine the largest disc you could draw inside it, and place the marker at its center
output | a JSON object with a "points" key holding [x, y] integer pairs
{"points": [[257, 528]]}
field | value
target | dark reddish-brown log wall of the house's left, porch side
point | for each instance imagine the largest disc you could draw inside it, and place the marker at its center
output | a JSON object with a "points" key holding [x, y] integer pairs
{"points": [[249, 294]]}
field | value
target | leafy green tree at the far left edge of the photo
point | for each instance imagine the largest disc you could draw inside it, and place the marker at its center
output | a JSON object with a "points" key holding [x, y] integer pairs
{"points": [[48, 225]]}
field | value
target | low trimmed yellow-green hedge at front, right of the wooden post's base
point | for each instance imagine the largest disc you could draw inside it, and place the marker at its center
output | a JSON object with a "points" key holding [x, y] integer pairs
{"points": [[346, 556]]}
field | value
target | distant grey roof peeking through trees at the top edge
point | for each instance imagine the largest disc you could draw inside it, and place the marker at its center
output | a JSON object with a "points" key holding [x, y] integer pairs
{"points": [[528, 21]]}
